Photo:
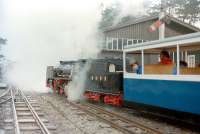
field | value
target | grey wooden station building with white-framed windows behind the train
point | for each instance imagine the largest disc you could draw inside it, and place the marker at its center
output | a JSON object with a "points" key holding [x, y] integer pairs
{"points": [[137, 31]]}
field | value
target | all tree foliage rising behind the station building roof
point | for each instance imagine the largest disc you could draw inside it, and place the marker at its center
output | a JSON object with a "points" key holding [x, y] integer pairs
{"points": [[185, 10]]}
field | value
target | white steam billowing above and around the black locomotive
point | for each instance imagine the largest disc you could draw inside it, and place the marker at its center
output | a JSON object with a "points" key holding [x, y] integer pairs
{"points": [[42, 32]]}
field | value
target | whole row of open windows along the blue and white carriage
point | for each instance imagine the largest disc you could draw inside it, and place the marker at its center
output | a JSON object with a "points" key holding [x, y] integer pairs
{"points": [[181, 59]]}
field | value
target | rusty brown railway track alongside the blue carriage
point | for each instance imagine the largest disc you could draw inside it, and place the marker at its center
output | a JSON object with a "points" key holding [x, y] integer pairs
{"points": [[115, 120]]}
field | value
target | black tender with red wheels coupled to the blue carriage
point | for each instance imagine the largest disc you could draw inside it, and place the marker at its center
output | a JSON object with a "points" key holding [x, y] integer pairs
{"points": [[105, 81]]}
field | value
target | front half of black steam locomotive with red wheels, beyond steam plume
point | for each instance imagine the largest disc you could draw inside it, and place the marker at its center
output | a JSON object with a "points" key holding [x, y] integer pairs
{"points": [[58, 77]]}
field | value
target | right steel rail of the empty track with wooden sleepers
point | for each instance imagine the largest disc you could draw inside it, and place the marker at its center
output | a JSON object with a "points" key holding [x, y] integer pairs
{"points": [[35, 115]]}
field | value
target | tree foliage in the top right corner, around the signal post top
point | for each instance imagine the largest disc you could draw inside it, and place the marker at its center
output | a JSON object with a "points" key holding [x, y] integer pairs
{"points": [[185, 10]]}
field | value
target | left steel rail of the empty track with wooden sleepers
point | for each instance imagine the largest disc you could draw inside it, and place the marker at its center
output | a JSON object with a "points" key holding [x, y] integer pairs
{"points": [[16, 124]]}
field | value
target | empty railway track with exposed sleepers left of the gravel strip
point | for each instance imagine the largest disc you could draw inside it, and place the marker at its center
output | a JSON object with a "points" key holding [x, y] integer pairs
{"points": [[27, 115]]}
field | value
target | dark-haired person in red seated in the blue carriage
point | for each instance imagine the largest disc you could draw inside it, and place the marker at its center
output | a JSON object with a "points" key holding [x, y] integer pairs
{"points": [[165, 58]]}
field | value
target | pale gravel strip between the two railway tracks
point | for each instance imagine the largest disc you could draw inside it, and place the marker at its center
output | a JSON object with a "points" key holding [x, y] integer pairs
{"points": [[70, 120]]}
